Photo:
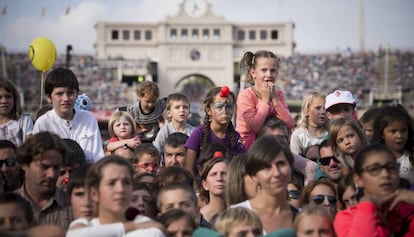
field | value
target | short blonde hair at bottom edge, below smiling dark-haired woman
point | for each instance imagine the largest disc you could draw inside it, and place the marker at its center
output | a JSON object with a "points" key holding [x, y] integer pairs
{"points": [[232, 217]]}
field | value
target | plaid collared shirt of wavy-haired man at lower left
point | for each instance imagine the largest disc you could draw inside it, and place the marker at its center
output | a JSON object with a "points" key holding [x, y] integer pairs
{"points": [[58, 211]]}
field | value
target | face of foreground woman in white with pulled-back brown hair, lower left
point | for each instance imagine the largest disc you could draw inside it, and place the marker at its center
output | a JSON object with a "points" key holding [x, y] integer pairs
{"points": [[114, 193]]}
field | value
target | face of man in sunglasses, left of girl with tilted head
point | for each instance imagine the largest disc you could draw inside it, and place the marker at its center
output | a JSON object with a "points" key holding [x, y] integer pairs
{"points": [[330, 166]]}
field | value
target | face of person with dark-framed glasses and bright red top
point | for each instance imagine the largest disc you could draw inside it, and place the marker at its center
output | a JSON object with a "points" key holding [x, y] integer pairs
{"points": [[380, 175]]}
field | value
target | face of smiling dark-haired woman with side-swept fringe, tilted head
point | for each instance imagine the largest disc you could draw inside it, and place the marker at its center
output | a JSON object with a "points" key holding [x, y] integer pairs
{"points": [[275, 178]]}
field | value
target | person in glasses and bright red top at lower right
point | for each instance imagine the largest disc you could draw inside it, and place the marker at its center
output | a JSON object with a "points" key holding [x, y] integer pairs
{"points": [[383, 209]]}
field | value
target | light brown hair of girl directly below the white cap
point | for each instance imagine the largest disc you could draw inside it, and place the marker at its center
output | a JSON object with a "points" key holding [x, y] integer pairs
{"points": [[334, 127]]}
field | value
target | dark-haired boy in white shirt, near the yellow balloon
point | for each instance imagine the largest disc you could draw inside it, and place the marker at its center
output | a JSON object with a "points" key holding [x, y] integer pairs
{"points": [[61, 90]]}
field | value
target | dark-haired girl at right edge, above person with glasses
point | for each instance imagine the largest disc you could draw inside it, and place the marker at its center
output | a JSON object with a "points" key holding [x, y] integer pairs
{"points": [[394, 129]]}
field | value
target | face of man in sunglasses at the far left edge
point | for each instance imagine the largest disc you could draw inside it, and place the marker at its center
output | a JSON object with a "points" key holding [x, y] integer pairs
{"points": [[9, 166]]}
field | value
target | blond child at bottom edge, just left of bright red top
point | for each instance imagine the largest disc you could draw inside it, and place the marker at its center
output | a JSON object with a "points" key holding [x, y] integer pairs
{"points": [[313, 221]]}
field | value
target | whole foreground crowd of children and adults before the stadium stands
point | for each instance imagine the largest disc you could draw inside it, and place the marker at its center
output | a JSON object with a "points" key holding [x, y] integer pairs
{"points": [[332, 173]]}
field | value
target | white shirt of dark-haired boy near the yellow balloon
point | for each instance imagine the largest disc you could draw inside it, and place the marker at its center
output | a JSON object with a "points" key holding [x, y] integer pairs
{"points": [[83, 129]]}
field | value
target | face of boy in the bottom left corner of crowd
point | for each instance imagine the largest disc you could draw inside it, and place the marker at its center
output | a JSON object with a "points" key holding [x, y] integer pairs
{"points": [[12, 217]]}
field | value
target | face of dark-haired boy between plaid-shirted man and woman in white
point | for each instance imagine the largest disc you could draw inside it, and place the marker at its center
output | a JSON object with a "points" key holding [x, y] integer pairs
{"points": [[82, 204]]}
